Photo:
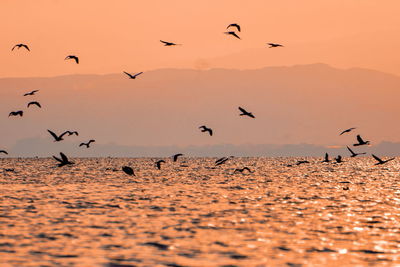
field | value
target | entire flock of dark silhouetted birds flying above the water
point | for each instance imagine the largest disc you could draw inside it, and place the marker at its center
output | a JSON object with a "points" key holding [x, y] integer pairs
{"points": [[232, 30]]}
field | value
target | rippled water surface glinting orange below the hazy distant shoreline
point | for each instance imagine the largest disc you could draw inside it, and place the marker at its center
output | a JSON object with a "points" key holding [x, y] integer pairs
{"points": [[192, 213]]}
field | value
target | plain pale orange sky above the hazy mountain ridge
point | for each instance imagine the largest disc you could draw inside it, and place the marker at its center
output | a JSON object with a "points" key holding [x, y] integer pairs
{"points": [[112, 36]]}
